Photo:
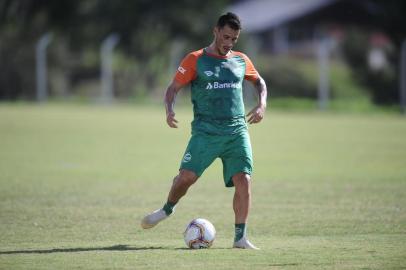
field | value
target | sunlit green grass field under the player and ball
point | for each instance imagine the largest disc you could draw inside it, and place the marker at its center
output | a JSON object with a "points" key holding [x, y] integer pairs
{"points": [[329, 191]]}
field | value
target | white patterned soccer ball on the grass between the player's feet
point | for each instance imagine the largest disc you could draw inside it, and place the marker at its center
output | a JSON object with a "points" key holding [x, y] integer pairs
{"points": [[199, 233]]}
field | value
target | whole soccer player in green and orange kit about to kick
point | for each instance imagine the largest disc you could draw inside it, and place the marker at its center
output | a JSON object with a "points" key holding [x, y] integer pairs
{"points": [[219, 128]]}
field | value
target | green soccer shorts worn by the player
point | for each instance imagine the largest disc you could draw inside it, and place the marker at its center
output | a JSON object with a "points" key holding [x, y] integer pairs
{"points": [[234, 151]]}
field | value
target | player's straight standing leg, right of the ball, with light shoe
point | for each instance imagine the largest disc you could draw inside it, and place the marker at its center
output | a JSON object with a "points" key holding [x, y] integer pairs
{"points": [[241, 206]]}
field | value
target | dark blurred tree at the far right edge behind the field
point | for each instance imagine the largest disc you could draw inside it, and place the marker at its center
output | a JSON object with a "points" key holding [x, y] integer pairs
{"points": [[388, 16]]}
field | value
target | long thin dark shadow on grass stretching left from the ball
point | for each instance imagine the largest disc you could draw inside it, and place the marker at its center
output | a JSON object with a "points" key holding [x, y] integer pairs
{"points": [[63, 250]]}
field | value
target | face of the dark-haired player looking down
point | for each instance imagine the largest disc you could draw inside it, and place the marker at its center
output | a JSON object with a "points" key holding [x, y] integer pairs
{"points": [[225, 39]]}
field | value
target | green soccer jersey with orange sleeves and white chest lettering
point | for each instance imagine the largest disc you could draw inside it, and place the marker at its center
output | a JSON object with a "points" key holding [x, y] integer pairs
{"points": [[216, 85]]}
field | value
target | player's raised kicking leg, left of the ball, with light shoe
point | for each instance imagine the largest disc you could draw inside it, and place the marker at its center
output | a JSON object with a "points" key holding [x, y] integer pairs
{"points": [[181, 184]]}
